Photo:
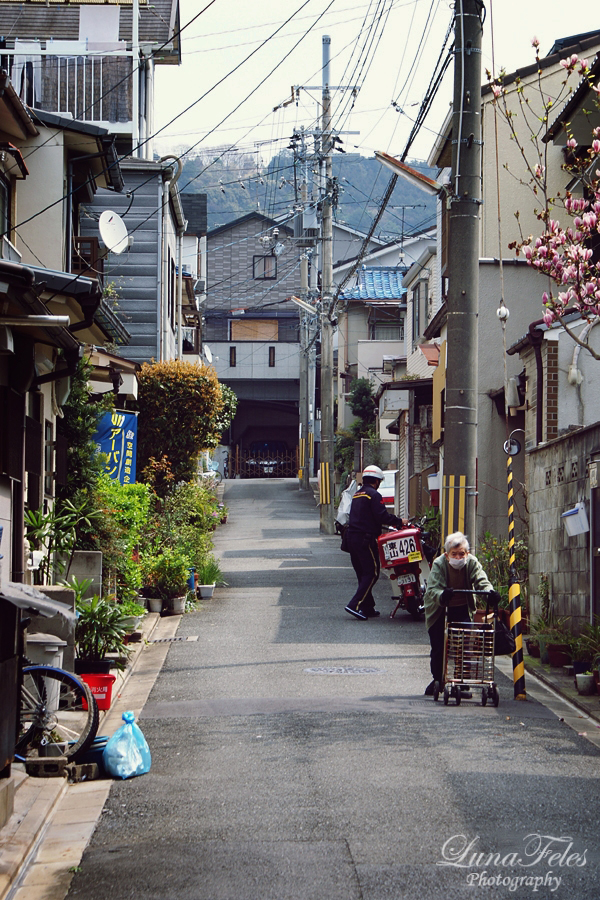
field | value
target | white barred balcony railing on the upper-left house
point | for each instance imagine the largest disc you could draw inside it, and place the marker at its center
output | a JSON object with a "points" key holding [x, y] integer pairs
{"points": [[91, 88]]}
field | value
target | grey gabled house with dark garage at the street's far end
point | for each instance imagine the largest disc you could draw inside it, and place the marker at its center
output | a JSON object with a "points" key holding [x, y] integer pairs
{"points": [[252, 328]]}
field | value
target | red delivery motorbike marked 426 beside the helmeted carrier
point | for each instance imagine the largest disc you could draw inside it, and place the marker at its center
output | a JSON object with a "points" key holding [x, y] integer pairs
{"points": [[404, 551]]}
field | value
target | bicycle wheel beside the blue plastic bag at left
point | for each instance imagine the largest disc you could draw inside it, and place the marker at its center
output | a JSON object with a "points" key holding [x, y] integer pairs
{"points": [[56, 709]]}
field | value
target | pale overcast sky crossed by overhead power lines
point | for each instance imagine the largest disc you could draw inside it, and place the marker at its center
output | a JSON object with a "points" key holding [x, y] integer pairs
{"points": [[388, 48]]}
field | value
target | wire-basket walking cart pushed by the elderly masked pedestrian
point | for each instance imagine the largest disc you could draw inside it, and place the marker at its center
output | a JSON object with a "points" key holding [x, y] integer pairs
{"points": [[469, 659]]}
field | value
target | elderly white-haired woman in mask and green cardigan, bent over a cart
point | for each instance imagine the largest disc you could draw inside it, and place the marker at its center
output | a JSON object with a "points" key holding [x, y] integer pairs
{"points": [[452, 573]]}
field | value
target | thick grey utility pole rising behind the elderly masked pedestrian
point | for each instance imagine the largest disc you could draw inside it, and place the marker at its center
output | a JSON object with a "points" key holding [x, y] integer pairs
{"points": [[459, 490]]}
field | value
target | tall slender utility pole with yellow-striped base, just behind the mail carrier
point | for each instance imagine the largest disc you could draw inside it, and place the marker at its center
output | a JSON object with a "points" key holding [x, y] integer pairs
{"points": [[327, 434]]}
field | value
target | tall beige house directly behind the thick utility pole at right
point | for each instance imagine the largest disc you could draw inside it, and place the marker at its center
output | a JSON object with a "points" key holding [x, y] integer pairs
{"points": [[511, 283]]}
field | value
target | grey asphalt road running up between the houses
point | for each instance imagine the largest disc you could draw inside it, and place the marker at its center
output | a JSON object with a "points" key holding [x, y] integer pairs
{"points": [[296, 758]]}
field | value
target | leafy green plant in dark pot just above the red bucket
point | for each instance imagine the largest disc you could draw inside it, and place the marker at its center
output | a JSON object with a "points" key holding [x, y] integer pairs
{"points": [[100, 630]]}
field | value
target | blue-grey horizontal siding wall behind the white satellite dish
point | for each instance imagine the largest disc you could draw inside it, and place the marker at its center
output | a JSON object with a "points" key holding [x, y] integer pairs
{"points": [[135, 274]]}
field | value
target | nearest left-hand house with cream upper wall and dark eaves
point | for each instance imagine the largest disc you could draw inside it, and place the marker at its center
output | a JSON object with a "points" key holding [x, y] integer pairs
{"points": [[46, 311]]}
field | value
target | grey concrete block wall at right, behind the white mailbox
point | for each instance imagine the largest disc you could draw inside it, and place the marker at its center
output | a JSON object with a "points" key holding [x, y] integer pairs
{"points": [[558, 479]]}
